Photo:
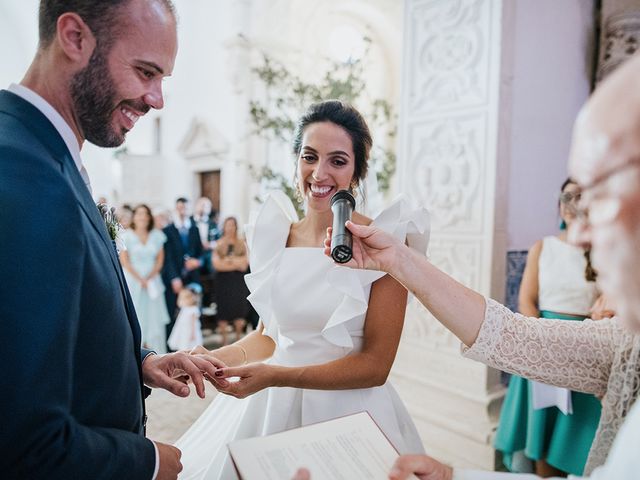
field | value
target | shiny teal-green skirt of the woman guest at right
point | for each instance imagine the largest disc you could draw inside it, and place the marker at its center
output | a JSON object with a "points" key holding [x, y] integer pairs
{"points": [[563, 441]]}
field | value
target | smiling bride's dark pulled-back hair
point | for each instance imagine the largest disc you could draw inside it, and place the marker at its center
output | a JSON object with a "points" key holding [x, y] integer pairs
{"points": [[346, 116]]}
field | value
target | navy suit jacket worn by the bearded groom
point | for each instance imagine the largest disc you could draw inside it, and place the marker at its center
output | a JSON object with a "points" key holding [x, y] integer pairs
{"points": [[72, 401]]}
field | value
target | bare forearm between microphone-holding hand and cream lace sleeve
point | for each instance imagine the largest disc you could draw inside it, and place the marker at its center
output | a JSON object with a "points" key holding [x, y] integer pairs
{"points": [[457, 307]]}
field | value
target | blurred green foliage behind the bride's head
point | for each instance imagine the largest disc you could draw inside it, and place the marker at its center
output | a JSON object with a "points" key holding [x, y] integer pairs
{"points": [[288, 95]]}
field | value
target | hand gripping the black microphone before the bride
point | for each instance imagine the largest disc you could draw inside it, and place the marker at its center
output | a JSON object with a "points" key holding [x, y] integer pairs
{"points": [[373, 249]]}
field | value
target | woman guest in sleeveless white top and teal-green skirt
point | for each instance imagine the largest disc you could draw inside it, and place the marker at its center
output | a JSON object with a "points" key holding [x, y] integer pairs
{"points": [[558, 282]]}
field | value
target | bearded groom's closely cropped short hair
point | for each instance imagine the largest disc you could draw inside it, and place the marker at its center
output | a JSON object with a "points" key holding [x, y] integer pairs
{"points": [[101, 16]]}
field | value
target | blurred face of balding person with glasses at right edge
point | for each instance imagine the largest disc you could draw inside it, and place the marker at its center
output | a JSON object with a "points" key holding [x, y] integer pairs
{"points": [[605, 161]]}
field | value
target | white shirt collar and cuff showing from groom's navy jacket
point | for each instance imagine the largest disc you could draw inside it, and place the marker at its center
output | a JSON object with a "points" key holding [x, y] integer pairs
{"points": [[71, 142]]}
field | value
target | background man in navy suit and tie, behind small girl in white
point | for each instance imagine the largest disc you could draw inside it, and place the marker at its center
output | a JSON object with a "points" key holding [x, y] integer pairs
{"points": [[183, 256]]}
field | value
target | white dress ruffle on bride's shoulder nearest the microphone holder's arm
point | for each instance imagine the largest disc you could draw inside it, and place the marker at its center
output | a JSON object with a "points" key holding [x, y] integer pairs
{"points": [[405, 223]]}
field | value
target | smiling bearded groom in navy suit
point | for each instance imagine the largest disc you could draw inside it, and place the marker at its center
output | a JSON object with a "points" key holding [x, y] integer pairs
{"points": [[72, 403]]}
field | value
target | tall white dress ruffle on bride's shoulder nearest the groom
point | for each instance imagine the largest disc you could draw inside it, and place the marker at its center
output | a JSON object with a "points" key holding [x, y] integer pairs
{"points": [[266, 234]]}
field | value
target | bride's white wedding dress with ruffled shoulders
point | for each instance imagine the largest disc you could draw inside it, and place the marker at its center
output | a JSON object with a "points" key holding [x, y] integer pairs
{"points": [[315, 312]]}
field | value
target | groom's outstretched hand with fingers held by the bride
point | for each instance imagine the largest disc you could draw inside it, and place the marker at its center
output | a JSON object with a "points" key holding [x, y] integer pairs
{"points": [[174, 370]]}
